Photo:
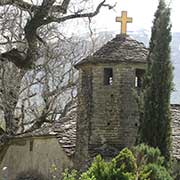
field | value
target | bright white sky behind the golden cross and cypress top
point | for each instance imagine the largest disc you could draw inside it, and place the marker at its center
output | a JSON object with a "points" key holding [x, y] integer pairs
{"points": [[142, 12]]}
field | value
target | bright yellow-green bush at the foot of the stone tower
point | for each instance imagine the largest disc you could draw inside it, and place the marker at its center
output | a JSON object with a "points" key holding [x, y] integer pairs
{"points": [[121, 167]]}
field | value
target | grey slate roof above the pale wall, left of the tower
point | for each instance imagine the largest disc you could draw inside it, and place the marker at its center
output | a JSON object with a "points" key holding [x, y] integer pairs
{"points": [[64, 130]]}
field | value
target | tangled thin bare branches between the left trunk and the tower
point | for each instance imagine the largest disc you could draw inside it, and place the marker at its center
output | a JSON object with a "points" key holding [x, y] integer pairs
{"points": [[49, 90]]}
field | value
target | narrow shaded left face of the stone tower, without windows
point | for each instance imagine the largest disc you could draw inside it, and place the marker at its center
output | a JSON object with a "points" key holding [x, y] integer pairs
{"points": [[84, 117]]}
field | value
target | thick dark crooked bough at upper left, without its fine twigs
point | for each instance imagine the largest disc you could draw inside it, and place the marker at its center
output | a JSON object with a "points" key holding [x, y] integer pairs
{"points": [[41, 17]]}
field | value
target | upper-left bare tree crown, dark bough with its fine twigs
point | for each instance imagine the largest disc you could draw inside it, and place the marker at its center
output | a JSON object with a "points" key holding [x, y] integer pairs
{"points": [[32, 18]]}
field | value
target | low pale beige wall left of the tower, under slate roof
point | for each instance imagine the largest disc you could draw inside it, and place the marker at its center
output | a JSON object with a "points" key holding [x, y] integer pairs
{"points": [[39, 154]]}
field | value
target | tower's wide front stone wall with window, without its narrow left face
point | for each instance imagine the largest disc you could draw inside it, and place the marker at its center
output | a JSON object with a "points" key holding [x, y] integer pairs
{"points": [[115, 116]]}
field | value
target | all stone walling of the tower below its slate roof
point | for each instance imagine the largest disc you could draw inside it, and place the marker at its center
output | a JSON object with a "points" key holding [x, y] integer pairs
{"points": [[107, 114]]}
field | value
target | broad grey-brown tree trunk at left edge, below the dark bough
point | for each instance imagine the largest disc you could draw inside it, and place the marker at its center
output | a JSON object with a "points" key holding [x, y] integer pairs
{"points": [[10, 83]]}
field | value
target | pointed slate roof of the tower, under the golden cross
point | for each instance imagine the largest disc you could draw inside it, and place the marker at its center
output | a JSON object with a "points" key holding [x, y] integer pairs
{"points": [[118, 50]]}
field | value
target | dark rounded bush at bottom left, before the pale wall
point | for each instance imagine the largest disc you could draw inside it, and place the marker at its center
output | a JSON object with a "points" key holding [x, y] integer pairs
{"points": [[30, 175]]}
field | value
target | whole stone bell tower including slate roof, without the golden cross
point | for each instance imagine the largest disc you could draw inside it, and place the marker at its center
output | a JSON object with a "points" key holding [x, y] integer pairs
{"points": [[107, 111]]}
